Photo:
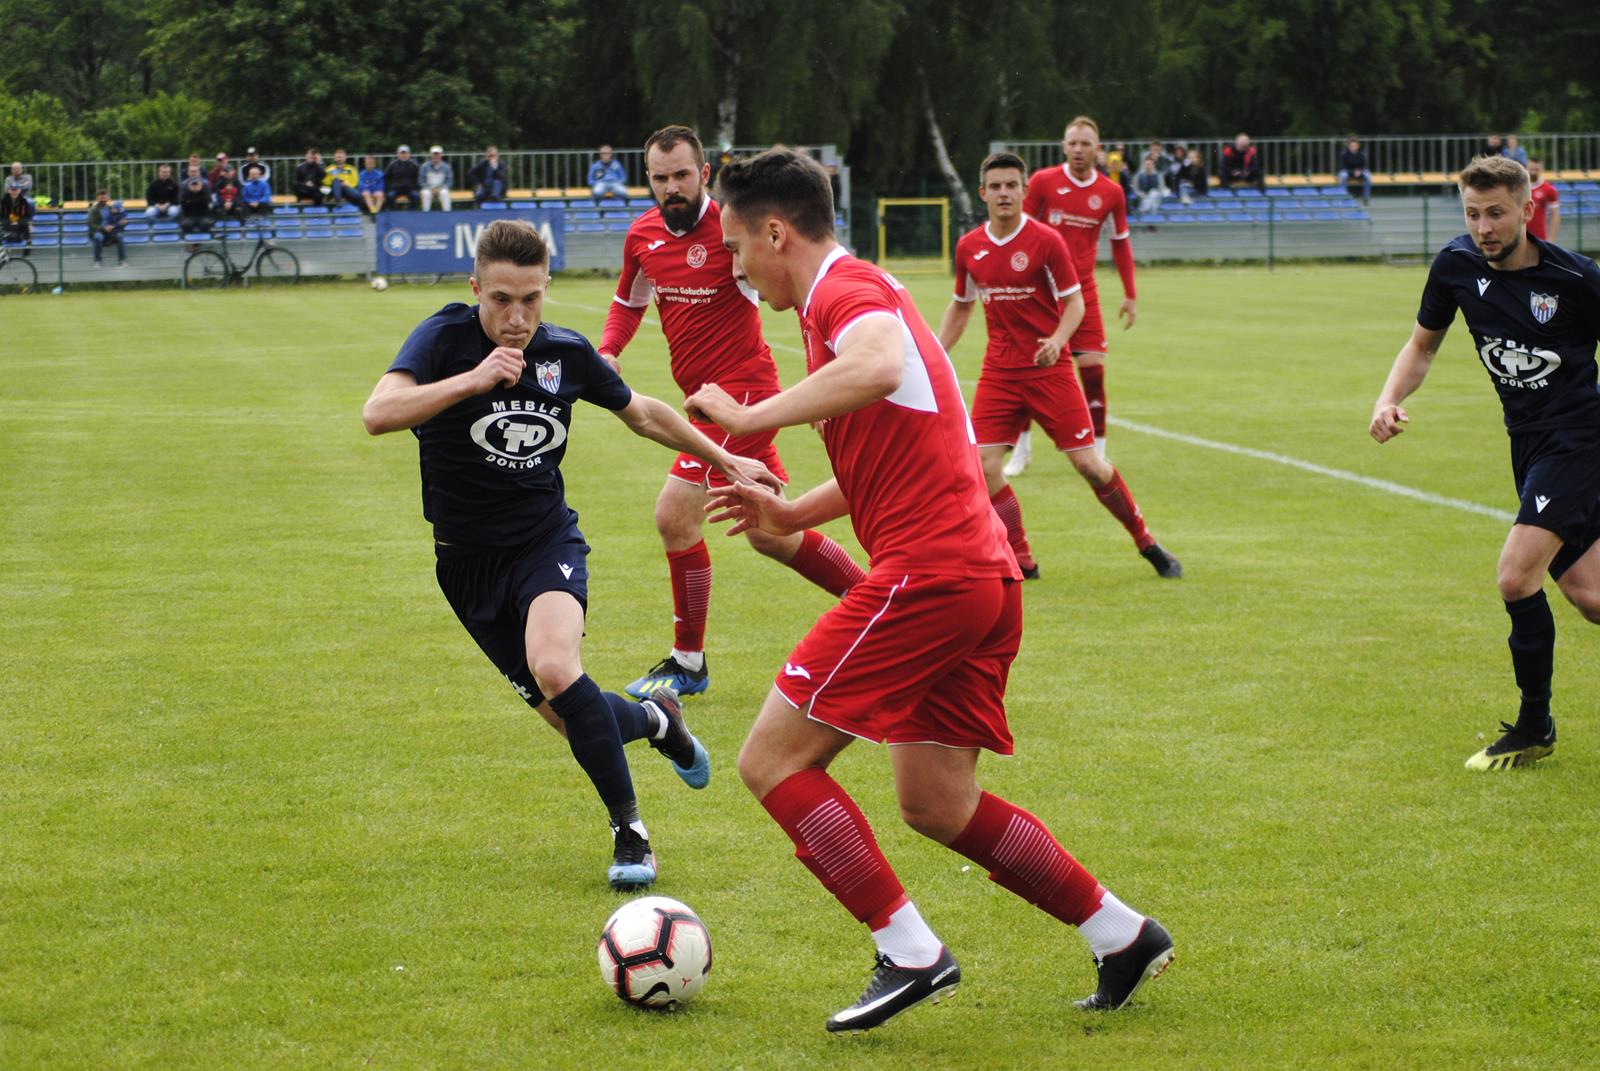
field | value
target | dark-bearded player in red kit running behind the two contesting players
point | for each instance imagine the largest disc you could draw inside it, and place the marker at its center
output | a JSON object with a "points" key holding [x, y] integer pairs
{"points": [[714, 335]]}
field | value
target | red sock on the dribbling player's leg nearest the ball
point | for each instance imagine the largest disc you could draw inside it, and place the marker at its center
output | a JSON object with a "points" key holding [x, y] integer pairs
{"points": [[836, 843]]}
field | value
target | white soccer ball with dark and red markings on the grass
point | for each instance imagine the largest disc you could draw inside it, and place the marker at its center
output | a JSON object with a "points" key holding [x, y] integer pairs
{"points": [[655, 953]]}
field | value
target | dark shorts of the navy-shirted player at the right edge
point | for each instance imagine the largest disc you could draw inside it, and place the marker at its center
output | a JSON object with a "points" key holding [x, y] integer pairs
{"points": [[1559, 484]]}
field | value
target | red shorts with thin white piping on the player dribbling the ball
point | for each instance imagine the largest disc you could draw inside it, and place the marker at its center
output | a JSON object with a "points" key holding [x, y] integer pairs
{"points": [[913, 660]]}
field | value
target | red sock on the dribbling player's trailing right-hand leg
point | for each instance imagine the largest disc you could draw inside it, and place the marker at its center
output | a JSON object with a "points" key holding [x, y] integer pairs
{"points": [[1020, 854]]}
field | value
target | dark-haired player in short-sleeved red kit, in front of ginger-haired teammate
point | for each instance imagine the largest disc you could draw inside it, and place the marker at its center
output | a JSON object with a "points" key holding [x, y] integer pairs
{"points": [[1033, 307]]}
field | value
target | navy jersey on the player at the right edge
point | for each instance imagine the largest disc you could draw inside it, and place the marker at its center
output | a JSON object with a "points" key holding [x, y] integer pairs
{"points": [[1535, 331]]}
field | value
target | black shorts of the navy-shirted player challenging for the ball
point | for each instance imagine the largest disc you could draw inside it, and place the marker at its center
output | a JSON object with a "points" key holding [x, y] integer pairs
{"points": [[492, 588]]}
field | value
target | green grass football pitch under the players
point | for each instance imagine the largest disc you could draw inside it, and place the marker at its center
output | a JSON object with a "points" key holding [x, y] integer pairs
{"points": [[266, 806]]}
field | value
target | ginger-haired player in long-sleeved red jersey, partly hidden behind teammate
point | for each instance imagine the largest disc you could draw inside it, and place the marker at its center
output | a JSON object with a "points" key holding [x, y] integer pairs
{"points": [[1076, 201]]}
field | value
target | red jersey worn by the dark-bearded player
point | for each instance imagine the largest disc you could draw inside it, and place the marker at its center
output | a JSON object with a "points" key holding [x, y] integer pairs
{"points": [[711, 321]]}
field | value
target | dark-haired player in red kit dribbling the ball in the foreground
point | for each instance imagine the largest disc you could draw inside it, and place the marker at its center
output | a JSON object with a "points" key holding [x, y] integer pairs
{"points": [[918, 654]]}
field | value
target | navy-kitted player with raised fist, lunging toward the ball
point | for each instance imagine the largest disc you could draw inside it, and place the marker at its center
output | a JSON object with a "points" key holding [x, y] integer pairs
{"points": [[489, 393]]}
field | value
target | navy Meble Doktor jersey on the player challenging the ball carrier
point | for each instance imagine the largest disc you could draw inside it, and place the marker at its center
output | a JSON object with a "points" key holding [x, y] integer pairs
{"points": [[492, 463]]}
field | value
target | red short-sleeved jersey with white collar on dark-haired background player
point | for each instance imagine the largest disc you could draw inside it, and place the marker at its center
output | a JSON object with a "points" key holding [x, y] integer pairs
{"points": [[1022, 281]]}
